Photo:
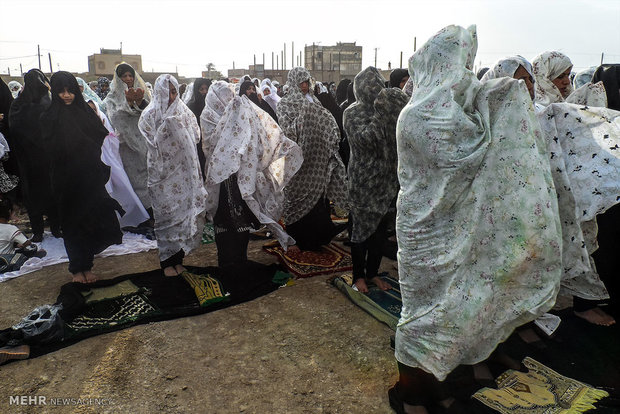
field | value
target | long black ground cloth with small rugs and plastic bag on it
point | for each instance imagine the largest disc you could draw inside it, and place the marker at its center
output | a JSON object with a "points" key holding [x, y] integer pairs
{"points": [[85, 310]]}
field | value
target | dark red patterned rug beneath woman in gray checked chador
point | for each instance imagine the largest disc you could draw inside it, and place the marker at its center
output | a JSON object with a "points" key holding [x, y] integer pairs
{"points": [[331, 259]]}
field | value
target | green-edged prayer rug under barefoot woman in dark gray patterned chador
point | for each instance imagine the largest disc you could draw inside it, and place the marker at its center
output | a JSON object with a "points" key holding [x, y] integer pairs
{"points": [[382, 305]]}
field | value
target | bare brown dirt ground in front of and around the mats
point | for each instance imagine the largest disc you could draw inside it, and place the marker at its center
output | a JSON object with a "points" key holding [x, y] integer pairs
{"points": [[301, 349]]}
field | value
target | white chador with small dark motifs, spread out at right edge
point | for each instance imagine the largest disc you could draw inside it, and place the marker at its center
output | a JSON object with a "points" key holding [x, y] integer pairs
{"points": [[583, 144]]}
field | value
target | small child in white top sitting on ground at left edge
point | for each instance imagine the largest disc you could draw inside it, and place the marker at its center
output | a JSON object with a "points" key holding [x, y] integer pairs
{"points": [[11, 238]]}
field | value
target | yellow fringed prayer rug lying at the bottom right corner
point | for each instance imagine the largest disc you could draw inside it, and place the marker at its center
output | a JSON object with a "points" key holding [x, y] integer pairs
{"points": [[539, 391]]}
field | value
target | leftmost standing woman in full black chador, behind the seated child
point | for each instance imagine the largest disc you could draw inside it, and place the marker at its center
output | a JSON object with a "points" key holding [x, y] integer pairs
{"points": [[31, 154]]}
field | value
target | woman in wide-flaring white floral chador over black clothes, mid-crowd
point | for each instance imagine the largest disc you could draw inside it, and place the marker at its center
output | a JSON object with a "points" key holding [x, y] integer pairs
{"points": [[249, 162]]}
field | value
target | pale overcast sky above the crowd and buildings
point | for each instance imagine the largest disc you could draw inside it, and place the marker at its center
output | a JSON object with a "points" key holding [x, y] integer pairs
{"points": [[190, 33]]}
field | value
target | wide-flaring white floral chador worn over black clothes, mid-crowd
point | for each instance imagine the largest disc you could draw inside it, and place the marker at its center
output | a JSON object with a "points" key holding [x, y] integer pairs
{"points": [[240, 138]]}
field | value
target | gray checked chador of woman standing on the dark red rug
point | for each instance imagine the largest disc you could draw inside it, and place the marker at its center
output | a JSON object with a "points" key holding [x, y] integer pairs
{"points": [[322, 174]]}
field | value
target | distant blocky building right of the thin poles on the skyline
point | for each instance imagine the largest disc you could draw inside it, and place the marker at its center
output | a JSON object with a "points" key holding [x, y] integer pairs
{"points": [[333, 63]]}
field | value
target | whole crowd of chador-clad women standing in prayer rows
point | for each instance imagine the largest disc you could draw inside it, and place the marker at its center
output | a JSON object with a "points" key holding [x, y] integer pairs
{"points": [[493, 185]]}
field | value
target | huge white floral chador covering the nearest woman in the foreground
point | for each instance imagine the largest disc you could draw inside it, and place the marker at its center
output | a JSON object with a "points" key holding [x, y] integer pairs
{"points": [[478, 230]]}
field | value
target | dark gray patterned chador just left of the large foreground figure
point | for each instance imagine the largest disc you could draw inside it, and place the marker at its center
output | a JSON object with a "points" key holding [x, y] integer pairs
{"points": [[370, 124]]}
